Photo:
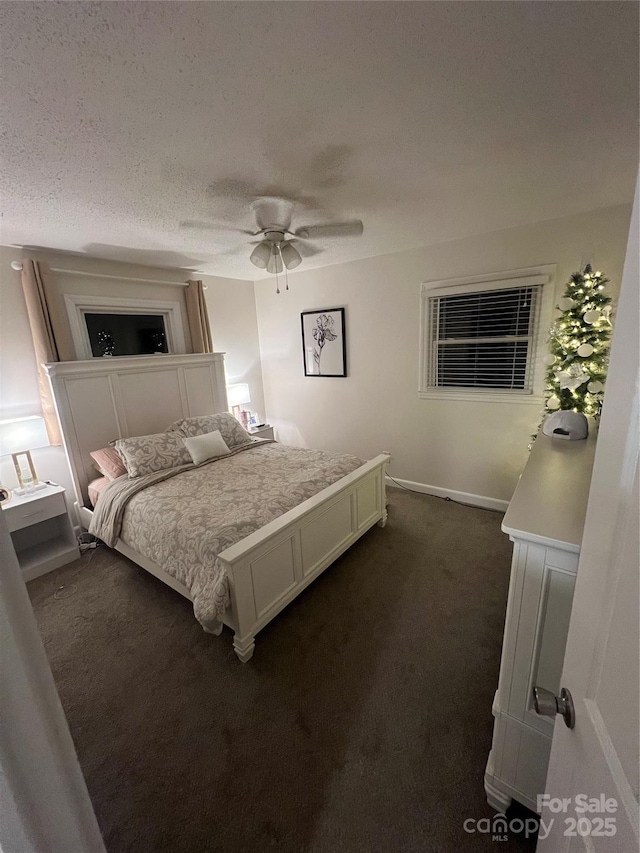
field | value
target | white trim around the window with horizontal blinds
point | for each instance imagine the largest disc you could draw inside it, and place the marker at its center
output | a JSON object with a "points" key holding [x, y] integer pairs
{"points": [[525, 277]]}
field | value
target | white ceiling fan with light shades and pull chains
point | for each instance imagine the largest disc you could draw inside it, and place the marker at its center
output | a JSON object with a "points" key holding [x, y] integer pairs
{"points": [[279, 247]]}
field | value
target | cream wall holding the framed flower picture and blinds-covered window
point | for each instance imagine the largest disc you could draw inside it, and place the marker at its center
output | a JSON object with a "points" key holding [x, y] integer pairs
{"points": [[469, 447]]}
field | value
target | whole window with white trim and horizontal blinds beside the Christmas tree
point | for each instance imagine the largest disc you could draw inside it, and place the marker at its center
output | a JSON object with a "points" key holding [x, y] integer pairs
{"points": [[479, 336]]}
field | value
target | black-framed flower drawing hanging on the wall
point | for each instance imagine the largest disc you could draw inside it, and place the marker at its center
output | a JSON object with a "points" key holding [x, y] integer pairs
{"points": [[324, 342]]}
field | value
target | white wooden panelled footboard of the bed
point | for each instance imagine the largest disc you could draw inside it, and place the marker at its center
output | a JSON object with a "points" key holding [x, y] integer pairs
{"points": [[269, 568]]}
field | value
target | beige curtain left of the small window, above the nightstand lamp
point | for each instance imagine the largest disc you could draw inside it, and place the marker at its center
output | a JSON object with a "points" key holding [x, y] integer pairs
{"points": [[37, 294]]}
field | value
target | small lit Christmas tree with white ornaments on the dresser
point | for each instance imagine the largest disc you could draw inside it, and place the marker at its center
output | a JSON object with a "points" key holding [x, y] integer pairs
{"points": [[579, 346]]}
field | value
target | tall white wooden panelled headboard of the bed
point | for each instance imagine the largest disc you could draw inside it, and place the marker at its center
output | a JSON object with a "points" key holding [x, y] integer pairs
{"points": [[107, 398]]}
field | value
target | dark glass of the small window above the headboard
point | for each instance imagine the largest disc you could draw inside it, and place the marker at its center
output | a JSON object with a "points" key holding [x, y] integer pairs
{"points": [[126, 334]]}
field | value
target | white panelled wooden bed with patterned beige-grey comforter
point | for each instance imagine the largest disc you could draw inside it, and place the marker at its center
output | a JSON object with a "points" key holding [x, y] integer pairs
{"points": [[283, 552]]}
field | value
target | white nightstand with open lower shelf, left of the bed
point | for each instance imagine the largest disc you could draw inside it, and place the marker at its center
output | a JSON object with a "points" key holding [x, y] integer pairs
{"points": [[41, 531]]}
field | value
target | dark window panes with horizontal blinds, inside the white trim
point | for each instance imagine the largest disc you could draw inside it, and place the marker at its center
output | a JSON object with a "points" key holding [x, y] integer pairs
{"points": [[484, 339]]}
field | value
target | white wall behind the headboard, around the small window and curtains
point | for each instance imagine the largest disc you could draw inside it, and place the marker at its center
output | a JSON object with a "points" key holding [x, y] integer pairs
{"points": [[233, 324]]}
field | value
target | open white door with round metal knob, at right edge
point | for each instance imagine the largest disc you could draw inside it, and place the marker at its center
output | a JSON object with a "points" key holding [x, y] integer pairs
{"points": [[598, 759]]}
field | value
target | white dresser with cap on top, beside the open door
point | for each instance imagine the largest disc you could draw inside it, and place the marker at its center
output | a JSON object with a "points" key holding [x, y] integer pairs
{"points": [[545, 520]]}
